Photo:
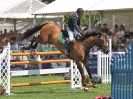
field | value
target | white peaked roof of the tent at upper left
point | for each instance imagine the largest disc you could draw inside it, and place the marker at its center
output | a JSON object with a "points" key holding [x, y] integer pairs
{"points": [[19, 8]]}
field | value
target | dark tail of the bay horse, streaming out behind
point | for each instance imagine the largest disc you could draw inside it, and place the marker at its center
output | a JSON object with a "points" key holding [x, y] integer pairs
{"points": [[31, 31]]}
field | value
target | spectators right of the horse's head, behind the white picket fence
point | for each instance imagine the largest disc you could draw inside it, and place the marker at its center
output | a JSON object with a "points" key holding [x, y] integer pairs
{"points": [[119, 35]]}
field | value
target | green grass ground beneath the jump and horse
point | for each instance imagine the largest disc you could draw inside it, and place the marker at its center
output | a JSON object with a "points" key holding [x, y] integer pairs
{"points": [[58, 91]]}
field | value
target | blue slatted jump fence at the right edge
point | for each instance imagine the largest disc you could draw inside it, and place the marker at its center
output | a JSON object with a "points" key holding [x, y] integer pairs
{"points": [[122, 75]]}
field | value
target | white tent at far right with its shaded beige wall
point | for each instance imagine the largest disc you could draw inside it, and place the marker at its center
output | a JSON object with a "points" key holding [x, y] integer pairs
{"points": [[116, 12]]}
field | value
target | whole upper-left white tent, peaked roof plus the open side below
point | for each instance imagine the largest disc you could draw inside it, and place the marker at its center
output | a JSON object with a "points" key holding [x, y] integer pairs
{"points": [[18, 12]]}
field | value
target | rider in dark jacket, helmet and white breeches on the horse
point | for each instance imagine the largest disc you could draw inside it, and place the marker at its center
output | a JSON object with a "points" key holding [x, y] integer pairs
{"points": [[74, 29]]}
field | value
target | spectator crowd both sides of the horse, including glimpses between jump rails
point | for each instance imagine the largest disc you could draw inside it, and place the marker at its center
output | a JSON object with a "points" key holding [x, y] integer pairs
{"points": [[120, 40]]}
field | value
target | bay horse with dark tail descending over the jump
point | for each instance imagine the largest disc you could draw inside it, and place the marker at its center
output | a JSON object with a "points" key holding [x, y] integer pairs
{"points": [[51, 33]]}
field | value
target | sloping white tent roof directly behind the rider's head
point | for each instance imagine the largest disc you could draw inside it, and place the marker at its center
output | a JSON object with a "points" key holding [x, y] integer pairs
{"points": [[66, 6]]}
